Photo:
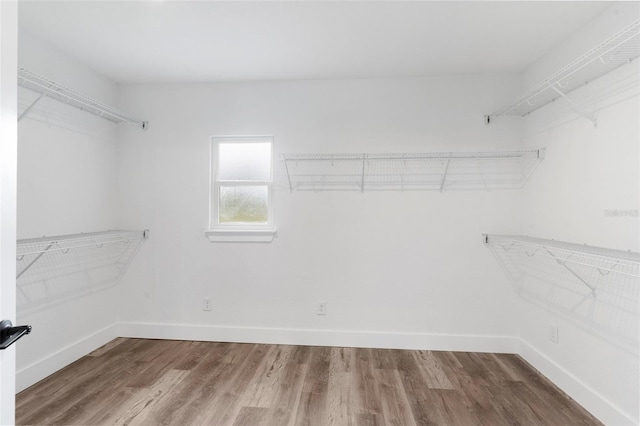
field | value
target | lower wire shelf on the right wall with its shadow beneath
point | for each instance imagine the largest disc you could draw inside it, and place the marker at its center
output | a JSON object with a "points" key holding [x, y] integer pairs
{"points": [[594, 288]]}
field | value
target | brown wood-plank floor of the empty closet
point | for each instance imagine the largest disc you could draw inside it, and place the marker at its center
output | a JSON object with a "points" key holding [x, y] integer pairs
{"points": [[163, 382]]}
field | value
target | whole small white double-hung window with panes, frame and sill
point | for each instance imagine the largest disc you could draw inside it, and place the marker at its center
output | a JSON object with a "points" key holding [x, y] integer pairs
{"points": [[241, 188]]}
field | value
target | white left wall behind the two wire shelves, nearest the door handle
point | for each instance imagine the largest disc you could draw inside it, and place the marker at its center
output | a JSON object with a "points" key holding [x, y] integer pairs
{"points": [[66, 184]]}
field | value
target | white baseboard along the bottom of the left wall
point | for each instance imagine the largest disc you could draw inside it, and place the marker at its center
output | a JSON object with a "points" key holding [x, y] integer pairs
{"points": [[33, 373]]}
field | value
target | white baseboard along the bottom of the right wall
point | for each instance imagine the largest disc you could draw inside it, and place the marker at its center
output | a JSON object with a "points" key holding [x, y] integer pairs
{"points": [[586, 396]]}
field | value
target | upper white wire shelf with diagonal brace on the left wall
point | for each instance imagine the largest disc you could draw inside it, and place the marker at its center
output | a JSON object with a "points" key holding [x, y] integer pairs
{"points": [[51, 89]]}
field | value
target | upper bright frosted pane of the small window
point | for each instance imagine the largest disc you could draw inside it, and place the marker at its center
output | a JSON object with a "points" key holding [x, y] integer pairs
{"points": [[244, 161]]}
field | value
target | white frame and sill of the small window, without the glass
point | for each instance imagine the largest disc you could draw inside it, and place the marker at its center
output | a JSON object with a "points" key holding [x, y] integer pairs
{"points": [[238, 232]]}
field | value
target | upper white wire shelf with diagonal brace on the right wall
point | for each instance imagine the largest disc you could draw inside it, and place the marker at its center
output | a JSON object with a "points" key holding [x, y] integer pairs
{"points": [[620, 49]]}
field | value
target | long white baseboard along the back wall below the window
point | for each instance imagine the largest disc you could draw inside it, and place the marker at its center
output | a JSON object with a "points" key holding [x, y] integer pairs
{"points": [[361, 339]]}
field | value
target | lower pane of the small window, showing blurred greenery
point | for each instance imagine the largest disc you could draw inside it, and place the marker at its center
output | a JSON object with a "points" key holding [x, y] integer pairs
{"points": [[243, 204]]}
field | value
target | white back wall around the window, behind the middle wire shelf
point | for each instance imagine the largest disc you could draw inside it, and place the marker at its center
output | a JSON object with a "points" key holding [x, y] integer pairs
{"points": [[403, 269]]}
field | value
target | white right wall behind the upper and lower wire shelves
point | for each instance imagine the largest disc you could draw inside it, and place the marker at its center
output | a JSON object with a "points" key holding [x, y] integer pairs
{"points": [[587, 171]]}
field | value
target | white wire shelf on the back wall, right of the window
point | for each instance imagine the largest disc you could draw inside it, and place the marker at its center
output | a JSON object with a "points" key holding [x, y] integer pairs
{"points": [[412, 171]]}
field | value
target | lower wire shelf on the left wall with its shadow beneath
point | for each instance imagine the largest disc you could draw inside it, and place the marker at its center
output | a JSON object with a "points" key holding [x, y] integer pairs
{"points": [[54, 270]]}
